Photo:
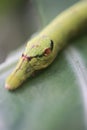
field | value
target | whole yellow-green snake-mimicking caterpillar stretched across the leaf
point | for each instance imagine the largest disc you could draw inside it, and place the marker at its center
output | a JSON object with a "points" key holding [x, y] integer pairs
{"points": [[65, 26]]}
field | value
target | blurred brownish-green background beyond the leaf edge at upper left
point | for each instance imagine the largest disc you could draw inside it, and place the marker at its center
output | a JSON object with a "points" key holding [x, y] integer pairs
{"points": [[18, 20]]}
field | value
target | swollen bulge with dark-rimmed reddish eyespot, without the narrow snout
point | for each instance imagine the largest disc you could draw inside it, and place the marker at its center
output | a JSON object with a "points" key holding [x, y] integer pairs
{"points": [[39, 52]]}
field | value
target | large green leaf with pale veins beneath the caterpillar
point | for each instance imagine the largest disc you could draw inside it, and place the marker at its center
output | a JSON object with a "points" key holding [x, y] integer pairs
{"points": [[56, 98]]}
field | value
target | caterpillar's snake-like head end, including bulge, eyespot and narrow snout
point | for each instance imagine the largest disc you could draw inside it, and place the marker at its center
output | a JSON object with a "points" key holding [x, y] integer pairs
{"points": [[37, 55]]}
